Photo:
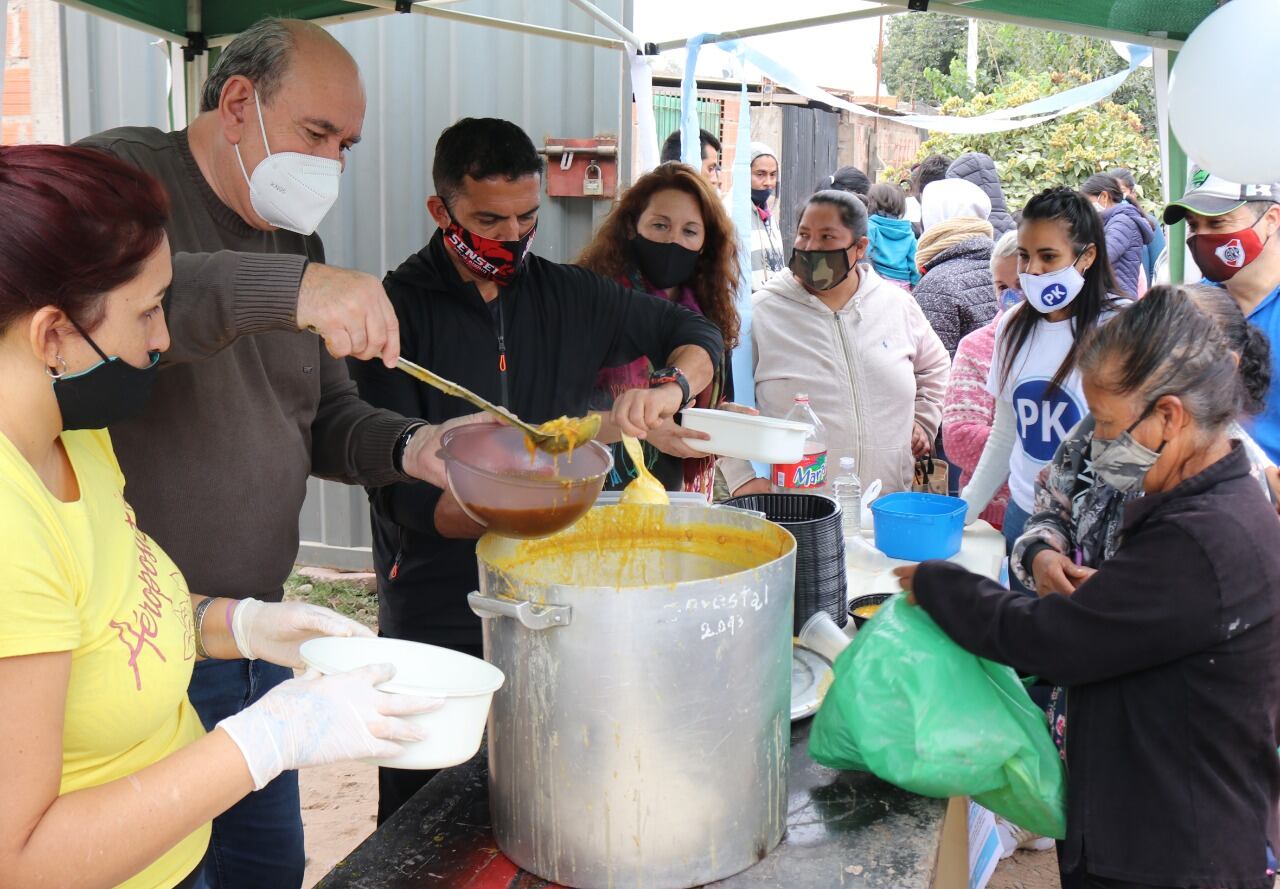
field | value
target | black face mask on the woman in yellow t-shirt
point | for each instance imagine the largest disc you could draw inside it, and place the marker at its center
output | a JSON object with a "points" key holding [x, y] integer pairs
{"points": [[104, 395]]}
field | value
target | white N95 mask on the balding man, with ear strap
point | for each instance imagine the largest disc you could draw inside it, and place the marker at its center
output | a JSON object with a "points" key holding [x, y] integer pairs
{"points": [[290, 190]]}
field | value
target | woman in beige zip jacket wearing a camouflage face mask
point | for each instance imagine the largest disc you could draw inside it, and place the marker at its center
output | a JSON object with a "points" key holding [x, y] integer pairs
{"points": [[861, 349]]}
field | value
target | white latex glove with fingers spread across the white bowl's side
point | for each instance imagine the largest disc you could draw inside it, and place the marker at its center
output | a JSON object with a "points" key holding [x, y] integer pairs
{"points": [[328, 720]]}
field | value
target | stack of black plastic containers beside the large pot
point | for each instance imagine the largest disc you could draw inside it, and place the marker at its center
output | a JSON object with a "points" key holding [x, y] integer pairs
{"points": [[816, 524]]}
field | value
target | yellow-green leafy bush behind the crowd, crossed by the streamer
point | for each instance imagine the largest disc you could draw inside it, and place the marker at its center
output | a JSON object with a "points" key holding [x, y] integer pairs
{"points": [[1066, 152]]}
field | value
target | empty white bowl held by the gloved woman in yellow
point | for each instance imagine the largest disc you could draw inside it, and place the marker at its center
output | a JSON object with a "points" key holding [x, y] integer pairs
{"points": [[454, 732]]}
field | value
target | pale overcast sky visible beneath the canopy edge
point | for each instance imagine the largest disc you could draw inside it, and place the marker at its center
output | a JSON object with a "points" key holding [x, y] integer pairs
{"points": [[836, 56]]}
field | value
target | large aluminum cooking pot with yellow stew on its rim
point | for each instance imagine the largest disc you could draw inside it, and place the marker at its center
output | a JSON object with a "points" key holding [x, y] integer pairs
{"points": [[643, 736]]}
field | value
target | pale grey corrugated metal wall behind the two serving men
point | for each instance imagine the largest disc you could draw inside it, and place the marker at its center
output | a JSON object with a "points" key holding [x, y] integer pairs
{"points": [[420, 75]]}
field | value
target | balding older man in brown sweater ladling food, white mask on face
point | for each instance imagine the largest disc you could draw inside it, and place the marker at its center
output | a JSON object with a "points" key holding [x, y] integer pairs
{"points": [[252, 404]]}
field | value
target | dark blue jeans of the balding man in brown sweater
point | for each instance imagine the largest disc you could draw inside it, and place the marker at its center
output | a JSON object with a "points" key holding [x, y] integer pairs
{"points": [[258, 842]]}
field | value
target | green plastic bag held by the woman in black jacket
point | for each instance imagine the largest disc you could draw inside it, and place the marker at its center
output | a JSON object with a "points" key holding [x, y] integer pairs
{"points": [[917, 711]]}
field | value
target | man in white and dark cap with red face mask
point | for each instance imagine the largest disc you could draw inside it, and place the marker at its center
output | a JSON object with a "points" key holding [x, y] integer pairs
{"points": [[1233, 239]]}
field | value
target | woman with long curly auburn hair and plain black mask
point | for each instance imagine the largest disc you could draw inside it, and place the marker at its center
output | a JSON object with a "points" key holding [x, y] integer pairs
{"points": [[670, 236]]}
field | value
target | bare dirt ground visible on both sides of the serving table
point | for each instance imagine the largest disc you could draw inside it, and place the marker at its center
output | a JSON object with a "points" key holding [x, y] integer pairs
{"points": [[340, 806]]}
